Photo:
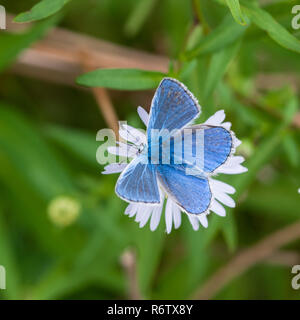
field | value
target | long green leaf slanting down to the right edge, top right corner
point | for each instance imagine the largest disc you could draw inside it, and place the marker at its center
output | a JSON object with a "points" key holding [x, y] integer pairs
{"points": [[275, 30]]}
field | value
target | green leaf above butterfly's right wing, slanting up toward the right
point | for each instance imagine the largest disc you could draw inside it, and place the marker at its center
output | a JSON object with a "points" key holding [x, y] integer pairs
{"points": [[225, 34]]}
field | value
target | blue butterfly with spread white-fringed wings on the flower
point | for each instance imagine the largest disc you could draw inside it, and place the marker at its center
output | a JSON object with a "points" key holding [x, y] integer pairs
{"points": [[173, 108]]}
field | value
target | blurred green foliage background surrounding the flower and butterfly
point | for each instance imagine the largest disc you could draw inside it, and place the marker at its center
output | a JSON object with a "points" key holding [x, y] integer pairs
{"points": [[249, 66]]}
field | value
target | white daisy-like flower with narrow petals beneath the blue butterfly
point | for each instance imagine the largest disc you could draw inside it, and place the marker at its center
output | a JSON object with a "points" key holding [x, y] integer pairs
{"points": [[173, 213]]}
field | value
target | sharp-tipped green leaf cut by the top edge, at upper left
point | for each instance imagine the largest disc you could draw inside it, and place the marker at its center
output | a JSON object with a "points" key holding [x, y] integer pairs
{"points": [[41, 10]]}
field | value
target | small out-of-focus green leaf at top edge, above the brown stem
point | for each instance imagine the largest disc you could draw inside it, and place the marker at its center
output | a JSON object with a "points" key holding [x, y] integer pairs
{"points": [[138, 16]]}
